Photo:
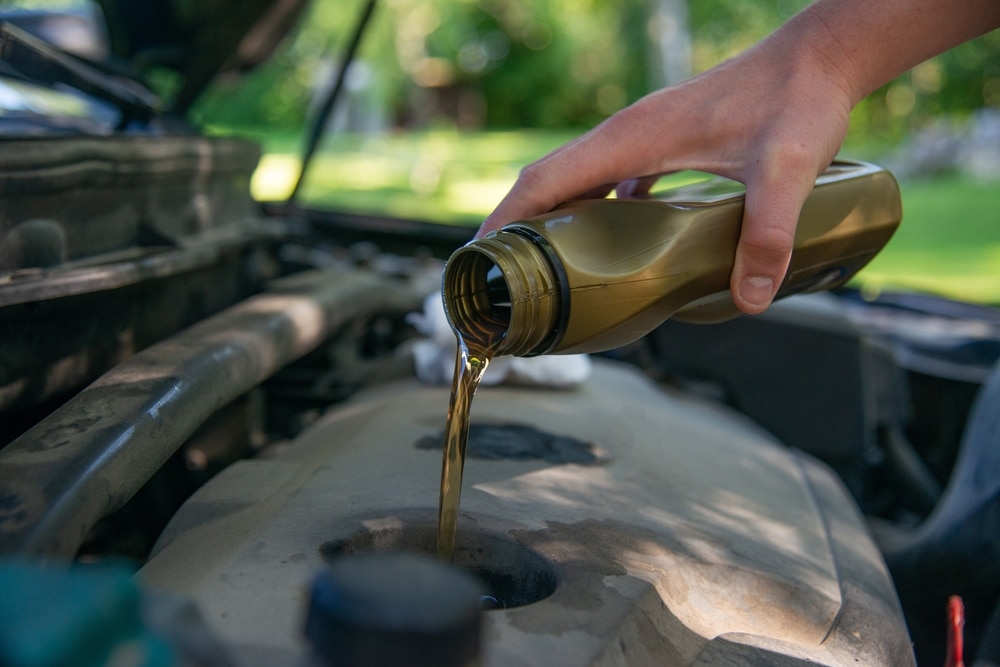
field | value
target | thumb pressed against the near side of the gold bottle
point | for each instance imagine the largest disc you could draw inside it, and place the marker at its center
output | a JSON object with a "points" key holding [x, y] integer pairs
{"points": [[770, 216]]}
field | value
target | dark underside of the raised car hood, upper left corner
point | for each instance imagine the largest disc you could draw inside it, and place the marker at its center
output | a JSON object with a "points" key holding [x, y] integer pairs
{"points": [[197, 40]]}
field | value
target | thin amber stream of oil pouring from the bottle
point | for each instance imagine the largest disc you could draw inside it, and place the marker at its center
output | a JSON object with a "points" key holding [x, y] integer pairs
{"points": [[470, 364]]}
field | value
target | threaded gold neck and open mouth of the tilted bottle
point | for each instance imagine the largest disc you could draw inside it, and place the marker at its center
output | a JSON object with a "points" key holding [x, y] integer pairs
{"points": [[502, 295]]}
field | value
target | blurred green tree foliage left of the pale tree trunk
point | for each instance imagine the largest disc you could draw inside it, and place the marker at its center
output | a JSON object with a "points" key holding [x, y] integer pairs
{"points": [[492, 63]]}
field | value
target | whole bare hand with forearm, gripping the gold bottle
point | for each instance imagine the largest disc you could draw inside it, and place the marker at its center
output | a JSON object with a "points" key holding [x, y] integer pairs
{"points": [[773, 118]]}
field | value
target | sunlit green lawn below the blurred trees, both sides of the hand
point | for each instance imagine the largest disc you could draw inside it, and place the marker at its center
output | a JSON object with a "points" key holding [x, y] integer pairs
{"points": [[948, 243]]}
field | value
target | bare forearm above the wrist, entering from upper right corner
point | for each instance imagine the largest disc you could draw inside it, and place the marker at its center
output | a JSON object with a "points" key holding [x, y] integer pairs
{"points": [[867, 43]]}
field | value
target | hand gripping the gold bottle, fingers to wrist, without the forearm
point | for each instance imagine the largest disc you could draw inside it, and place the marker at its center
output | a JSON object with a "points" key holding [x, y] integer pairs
{"points": [[772, 119]]}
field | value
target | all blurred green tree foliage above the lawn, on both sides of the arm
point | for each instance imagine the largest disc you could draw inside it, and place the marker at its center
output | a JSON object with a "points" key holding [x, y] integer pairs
{"points": [[555, 64]]}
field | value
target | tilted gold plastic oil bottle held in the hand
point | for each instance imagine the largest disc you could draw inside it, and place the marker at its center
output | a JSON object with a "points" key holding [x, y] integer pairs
{"points": [[597, 274]]}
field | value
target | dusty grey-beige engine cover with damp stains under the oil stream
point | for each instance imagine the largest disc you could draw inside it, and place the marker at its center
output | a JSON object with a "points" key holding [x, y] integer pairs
{"points": [[646, 528]]}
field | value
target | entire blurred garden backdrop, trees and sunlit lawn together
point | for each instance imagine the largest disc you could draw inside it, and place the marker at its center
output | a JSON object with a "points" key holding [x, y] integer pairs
{"points": [[449, 99]]}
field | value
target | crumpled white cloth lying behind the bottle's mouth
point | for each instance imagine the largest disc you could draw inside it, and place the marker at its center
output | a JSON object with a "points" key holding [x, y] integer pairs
{"points": [[434, 357]]}
